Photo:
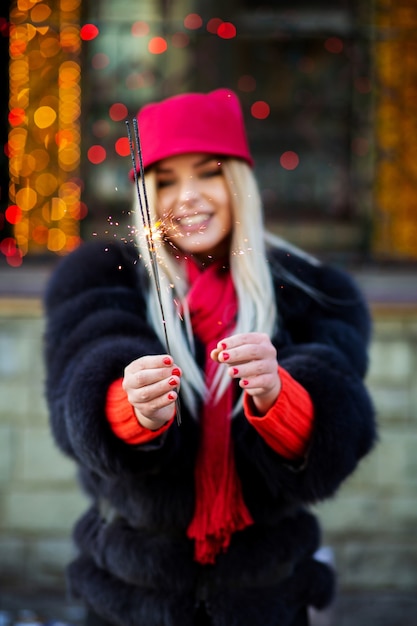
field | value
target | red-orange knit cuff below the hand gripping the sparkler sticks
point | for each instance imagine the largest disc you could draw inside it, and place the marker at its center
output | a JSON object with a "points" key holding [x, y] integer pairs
{"points": [[122, 419]]}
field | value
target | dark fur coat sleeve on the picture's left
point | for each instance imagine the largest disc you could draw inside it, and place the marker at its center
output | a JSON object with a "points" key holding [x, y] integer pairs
{"points": [[95, 326]]}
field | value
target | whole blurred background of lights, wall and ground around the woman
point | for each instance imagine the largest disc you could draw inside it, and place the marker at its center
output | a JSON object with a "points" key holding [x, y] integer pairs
{"points": [[329, 92]]}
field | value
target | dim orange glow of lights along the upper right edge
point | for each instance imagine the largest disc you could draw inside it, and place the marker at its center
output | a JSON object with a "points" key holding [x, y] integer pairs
{"points": [[395, 55]]}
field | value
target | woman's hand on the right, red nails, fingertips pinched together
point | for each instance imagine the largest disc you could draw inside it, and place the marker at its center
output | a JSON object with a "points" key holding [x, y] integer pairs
{"points": [[252, 358]]}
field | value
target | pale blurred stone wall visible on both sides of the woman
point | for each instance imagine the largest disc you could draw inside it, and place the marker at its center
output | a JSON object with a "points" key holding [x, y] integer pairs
{"points": [[370, 524]]}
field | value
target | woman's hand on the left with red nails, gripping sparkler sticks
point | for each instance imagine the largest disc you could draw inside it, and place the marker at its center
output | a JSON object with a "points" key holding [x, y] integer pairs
{"points": [[151, 384]]}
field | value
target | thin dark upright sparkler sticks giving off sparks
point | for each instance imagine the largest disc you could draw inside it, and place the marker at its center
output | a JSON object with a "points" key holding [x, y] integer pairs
{"points": [[147, 227]]}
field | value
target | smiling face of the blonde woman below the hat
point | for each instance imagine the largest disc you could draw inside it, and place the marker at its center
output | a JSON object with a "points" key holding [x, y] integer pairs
{"points": [[194, 204]]}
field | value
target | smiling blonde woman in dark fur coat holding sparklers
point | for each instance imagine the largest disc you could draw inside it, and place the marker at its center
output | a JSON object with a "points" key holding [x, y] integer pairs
{"points": [[204, 521]]}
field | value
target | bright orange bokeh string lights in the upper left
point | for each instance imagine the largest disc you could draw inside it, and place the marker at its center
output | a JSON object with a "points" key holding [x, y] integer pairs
{"points": [[44, 138]]}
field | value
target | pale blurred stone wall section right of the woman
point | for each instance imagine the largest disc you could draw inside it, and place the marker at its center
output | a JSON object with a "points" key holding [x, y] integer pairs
{"points": [[371, 523]]}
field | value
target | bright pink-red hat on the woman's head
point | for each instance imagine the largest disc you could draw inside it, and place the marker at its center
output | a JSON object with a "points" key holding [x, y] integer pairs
{"points": [[193, 122]]}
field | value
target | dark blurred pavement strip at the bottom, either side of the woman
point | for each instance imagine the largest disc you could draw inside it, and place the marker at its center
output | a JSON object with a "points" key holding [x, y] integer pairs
{"points": [[367, 608]]}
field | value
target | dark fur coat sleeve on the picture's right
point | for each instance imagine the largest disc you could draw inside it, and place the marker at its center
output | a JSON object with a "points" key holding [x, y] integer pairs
{"points": [[322, 341]]}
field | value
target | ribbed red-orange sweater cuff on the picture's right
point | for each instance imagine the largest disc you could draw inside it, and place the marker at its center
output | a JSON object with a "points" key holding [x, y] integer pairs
{"points": [[288, 425]]}
